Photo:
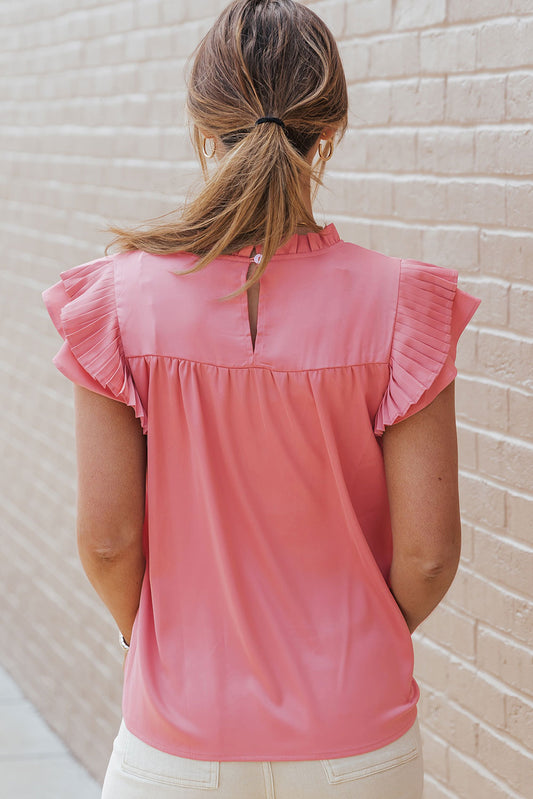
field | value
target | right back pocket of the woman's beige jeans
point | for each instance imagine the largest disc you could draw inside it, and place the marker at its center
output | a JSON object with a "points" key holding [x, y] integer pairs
{"points": [[354, 767]]}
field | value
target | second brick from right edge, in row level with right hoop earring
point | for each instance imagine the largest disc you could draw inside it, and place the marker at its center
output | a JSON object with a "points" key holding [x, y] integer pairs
{"points": [[450, 151]]}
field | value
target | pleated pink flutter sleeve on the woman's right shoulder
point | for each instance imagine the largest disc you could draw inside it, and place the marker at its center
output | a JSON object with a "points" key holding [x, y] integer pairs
{"points": [[431, 314]]}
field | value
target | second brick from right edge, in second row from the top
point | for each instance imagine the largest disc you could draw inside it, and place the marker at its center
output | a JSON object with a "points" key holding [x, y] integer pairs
{"points": [[448, 51]]}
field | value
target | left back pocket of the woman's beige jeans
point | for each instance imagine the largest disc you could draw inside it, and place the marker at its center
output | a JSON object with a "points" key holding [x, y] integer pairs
{"points": [[152, 765]]}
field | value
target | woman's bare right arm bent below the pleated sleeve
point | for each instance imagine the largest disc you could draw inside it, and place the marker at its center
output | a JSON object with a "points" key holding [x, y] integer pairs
{"points": [[421, 467]]}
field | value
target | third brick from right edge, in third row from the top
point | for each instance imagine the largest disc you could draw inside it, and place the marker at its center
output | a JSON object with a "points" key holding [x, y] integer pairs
{"points": [[418, 100]]}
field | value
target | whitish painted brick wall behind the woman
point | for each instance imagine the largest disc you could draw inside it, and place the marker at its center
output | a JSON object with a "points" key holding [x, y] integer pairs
{"points": [[437, 165]]}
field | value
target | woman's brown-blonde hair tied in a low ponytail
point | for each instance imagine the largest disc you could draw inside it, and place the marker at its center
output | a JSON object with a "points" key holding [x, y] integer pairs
{"points": [[260, 58]]}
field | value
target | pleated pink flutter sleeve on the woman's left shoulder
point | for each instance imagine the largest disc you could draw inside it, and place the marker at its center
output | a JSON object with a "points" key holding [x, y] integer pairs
{"points": [[82, 307]]}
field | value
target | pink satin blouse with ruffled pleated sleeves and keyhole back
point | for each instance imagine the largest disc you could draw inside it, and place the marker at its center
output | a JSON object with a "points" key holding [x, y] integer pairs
{"points": [[266, 629]]}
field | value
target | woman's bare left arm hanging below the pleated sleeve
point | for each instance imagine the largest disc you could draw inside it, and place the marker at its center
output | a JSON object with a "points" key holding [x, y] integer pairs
{"points": [[111, 459]]}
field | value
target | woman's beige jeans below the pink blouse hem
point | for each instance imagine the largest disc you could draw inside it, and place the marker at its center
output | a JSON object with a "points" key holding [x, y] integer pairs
{"points": [[138, 771]]}
